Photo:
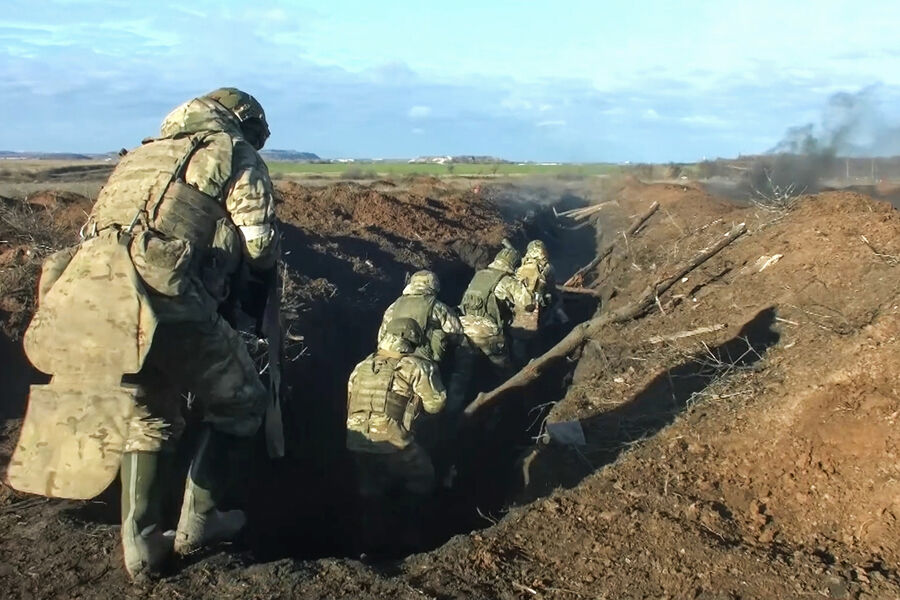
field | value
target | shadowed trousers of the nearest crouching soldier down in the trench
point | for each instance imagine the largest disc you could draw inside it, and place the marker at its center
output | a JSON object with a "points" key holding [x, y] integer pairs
{"points": [[409, 468]]}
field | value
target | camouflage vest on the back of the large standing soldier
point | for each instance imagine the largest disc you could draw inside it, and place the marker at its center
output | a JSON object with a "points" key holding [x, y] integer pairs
{"points": [[148, 189]]}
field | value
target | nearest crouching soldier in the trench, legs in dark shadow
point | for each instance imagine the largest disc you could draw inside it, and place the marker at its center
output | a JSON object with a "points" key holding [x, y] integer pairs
{"points": [[385, 395]]}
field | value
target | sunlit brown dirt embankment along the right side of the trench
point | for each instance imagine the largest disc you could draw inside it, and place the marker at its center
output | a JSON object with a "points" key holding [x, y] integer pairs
{"points": [[755, 461]]}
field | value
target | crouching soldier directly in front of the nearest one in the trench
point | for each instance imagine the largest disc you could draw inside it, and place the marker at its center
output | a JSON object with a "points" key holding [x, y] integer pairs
{"points": [[438, 321]]}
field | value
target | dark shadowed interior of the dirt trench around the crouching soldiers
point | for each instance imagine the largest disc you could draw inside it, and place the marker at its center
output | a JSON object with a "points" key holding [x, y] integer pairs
{"points": [[317, 478]]}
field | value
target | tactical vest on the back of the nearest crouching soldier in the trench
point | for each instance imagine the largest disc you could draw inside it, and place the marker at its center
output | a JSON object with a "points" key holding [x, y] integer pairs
{"points": [[373, 390]]}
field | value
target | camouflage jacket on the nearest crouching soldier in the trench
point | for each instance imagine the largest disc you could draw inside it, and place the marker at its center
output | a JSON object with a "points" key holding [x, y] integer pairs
{"points": [[413, 380]]}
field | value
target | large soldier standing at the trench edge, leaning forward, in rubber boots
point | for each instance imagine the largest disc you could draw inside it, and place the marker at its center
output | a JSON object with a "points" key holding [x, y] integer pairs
{"points": [[187, 210]]}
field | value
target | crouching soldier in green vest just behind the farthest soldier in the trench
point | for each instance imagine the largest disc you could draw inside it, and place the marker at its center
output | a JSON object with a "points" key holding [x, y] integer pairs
{"points": [[488, 306]]}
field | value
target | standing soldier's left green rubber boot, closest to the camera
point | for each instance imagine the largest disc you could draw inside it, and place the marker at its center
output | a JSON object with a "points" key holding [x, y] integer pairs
{"points": [[145, 545]]}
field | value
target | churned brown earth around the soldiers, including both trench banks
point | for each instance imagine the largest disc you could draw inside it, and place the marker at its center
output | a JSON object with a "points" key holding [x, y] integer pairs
{"points": [[757, 460]]}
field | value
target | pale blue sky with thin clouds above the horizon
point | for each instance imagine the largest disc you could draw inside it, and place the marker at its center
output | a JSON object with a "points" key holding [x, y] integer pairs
{"points": [[529, 80]]}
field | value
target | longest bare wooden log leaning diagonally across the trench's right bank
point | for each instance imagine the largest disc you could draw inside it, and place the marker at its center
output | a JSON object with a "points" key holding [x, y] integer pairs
{"points": [[588, 329]]}
